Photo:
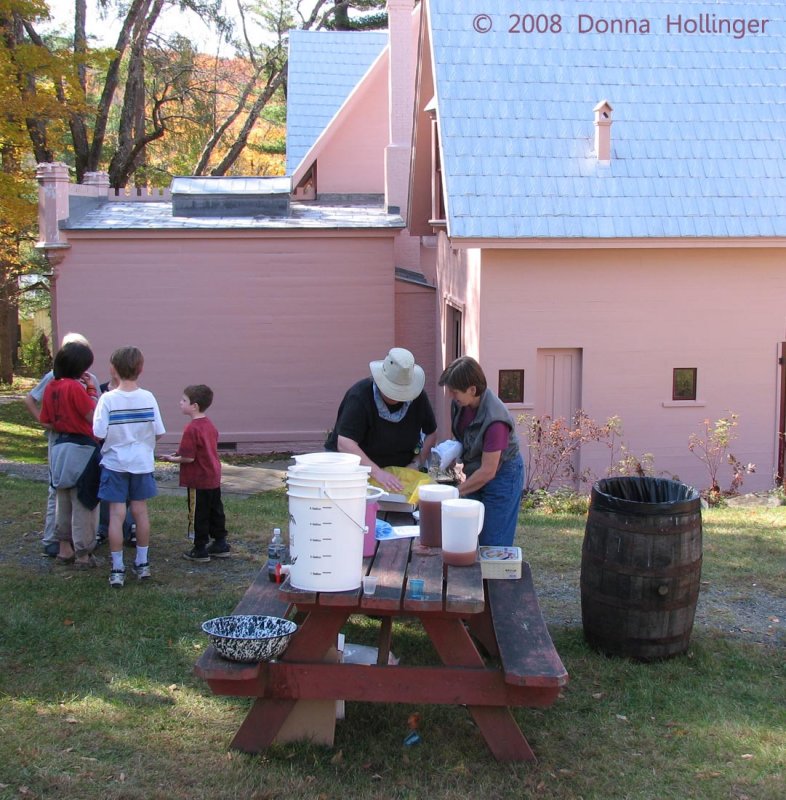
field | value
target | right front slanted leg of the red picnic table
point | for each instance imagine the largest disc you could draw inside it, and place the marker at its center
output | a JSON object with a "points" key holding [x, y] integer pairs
{"points": [[455, 647]]}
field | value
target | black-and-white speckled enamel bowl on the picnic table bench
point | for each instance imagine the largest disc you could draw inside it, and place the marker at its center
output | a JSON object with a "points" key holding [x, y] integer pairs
{"points": [[249, 637]]}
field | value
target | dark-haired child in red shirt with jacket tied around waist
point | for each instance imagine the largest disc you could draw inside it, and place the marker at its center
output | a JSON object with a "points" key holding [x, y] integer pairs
{"points": [[67, 408]]}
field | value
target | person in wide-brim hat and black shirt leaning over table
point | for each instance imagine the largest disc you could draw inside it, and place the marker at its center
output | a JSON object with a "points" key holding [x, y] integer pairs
{"points": [[383, 419]]}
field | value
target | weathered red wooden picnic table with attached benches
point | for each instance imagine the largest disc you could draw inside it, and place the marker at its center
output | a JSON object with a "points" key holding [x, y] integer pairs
{"points": [[490, 636]]}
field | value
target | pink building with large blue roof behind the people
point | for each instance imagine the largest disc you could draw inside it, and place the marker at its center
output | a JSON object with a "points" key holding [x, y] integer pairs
{"points": [[598, 216]]}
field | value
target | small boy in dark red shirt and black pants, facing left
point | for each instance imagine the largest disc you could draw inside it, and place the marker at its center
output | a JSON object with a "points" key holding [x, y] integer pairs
{"points": [[200, 473]]}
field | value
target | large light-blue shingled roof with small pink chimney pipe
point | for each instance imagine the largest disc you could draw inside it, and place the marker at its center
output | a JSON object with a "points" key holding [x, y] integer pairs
{"points": [[699, 123]]}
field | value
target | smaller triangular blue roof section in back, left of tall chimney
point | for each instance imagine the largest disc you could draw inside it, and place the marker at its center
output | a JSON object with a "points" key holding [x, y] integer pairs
{"points": [[324, 67]]}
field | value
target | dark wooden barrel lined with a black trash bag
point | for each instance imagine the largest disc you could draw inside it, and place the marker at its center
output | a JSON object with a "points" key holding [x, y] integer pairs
{"points": [[641, 567]]}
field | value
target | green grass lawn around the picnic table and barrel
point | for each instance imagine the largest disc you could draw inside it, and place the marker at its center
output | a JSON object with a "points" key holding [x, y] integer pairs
{"points": [[98, 697]]}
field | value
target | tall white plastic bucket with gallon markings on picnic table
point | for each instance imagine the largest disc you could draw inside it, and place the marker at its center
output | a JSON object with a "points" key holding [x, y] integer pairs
{"points": [[327, 519]]}
